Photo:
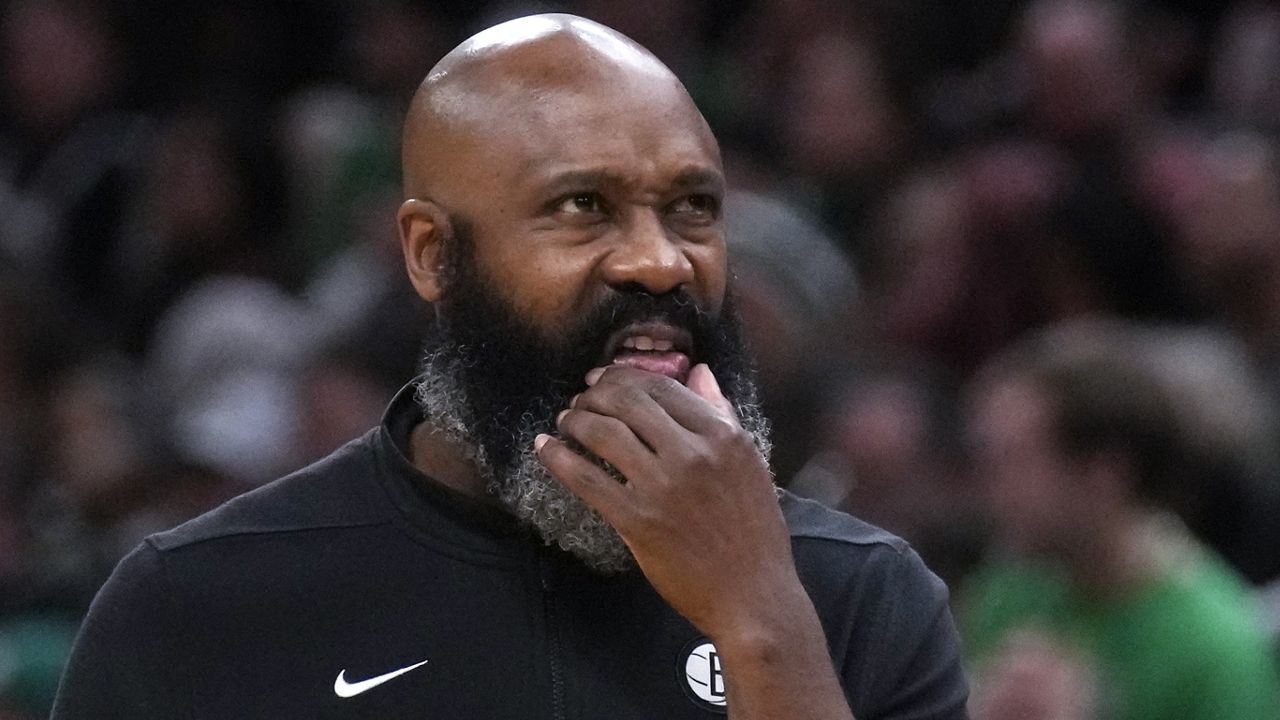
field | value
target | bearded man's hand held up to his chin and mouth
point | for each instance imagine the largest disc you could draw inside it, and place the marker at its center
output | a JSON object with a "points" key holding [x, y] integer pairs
{"points": [[698, 508]]}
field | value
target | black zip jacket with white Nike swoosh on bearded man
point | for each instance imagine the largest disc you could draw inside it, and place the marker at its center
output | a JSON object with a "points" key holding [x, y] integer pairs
{"points": [[363, 567]]}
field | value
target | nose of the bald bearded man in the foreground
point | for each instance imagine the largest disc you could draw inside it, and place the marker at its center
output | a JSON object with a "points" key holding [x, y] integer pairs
{"points": [[647, 256]]}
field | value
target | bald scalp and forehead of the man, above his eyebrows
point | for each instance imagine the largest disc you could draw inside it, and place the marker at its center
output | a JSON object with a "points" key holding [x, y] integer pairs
{"points": [[547, 89]]}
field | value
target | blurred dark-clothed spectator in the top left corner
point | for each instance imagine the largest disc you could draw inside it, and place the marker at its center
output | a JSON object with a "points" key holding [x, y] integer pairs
{"points": [[68, 154]]}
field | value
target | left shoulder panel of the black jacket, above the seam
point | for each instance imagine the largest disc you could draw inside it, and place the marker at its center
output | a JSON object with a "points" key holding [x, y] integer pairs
{"points": [[339, 491]]}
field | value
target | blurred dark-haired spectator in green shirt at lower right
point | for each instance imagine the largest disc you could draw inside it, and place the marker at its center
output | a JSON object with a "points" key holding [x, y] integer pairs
{"points": [[1096, 603]]}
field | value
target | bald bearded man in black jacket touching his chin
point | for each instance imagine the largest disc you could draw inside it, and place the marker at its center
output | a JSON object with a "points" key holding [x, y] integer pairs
{"points": [[570, 514]]}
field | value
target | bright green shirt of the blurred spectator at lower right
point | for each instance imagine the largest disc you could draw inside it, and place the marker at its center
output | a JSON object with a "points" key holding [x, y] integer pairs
{"points": [[1190, 646]]}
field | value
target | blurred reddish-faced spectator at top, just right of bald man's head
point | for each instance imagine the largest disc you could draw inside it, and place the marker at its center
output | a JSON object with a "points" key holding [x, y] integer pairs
{"points": [[811, 94]]}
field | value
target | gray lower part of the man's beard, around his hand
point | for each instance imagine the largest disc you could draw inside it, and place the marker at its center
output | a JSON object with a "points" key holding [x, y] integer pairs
{"points": [[528, 490]]}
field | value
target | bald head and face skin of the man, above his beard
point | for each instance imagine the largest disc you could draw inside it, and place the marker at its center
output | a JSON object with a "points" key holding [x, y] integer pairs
{"points": [[573, 158]]}
